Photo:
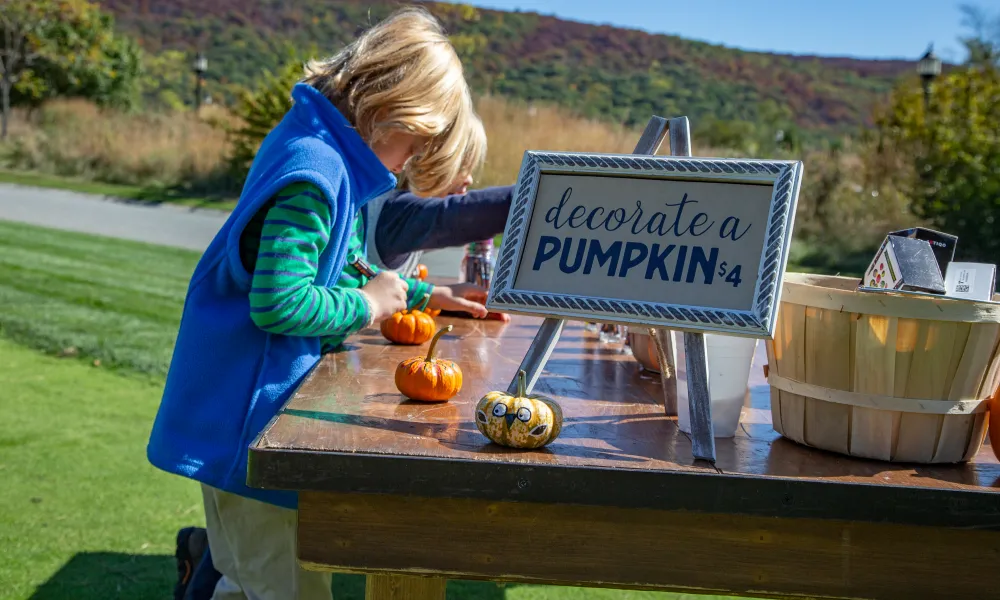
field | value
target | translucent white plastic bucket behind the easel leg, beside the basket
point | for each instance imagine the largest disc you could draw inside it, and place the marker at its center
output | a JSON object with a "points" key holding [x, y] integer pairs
{"points": [[729, 362]]}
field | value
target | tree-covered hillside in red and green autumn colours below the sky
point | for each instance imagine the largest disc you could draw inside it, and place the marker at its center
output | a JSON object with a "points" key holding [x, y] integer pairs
{"points": [[599, 71]]}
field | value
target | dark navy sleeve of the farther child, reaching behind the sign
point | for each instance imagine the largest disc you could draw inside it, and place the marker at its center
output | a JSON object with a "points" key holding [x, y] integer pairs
{"points": [[407, 222]]}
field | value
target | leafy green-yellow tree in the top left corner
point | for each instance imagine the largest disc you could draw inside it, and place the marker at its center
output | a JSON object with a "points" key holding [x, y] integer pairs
{"points": [[64, 48]]}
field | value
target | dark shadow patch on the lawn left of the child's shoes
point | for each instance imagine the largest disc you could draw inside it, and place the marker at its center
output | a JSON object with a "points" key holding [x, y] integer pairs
{"points": [[93, 575]]}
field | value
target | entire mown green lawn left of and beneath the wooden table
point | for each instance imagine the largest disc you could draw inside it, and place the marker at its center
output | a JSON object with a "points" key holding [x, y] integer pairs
{"points": [[82, 513]]}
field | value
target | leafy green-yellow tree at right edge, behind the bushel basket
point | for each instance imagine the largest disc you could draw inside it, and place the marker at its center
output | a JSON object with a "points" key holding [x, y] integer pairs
{"points": [[954, 149]]}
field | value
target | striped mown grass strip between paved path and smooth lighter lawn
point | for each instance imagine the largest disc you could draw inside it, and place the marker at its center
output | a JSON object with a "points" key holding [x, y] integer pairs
{"points": [[114, 301]]}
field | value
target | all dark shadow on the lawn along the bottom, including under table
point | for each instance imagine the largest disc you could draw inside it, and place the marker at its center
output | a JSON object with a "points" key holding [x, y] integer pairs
{"points": [[106, 575]]}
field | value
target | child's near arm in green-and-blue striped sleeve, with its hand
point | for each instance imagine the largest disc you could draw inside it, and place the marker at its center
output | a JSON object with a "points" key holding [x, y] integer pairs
{"points": [[284, 298]]}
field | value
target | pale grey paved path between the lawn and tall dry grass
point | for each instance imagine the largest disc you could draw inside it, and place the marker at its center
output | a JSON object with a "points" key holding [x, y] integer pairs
{"points": [[164, 224]]}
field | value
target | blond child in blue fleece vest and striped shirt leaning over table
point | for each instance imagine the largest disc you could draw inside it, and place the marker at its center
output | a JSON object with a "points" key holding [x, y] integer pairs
{"points": [[260, 308]]}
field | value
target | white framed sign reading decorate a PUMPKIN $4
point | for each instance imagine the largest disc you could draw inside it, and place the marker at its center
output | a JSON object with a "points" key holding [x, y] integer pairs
{"points": [[696, 244]]}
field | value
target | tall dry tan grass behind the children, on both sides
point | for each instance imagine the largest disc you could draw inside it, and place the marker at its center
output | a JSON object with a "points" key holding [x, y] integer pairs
{"points": [[75, 138]]}
